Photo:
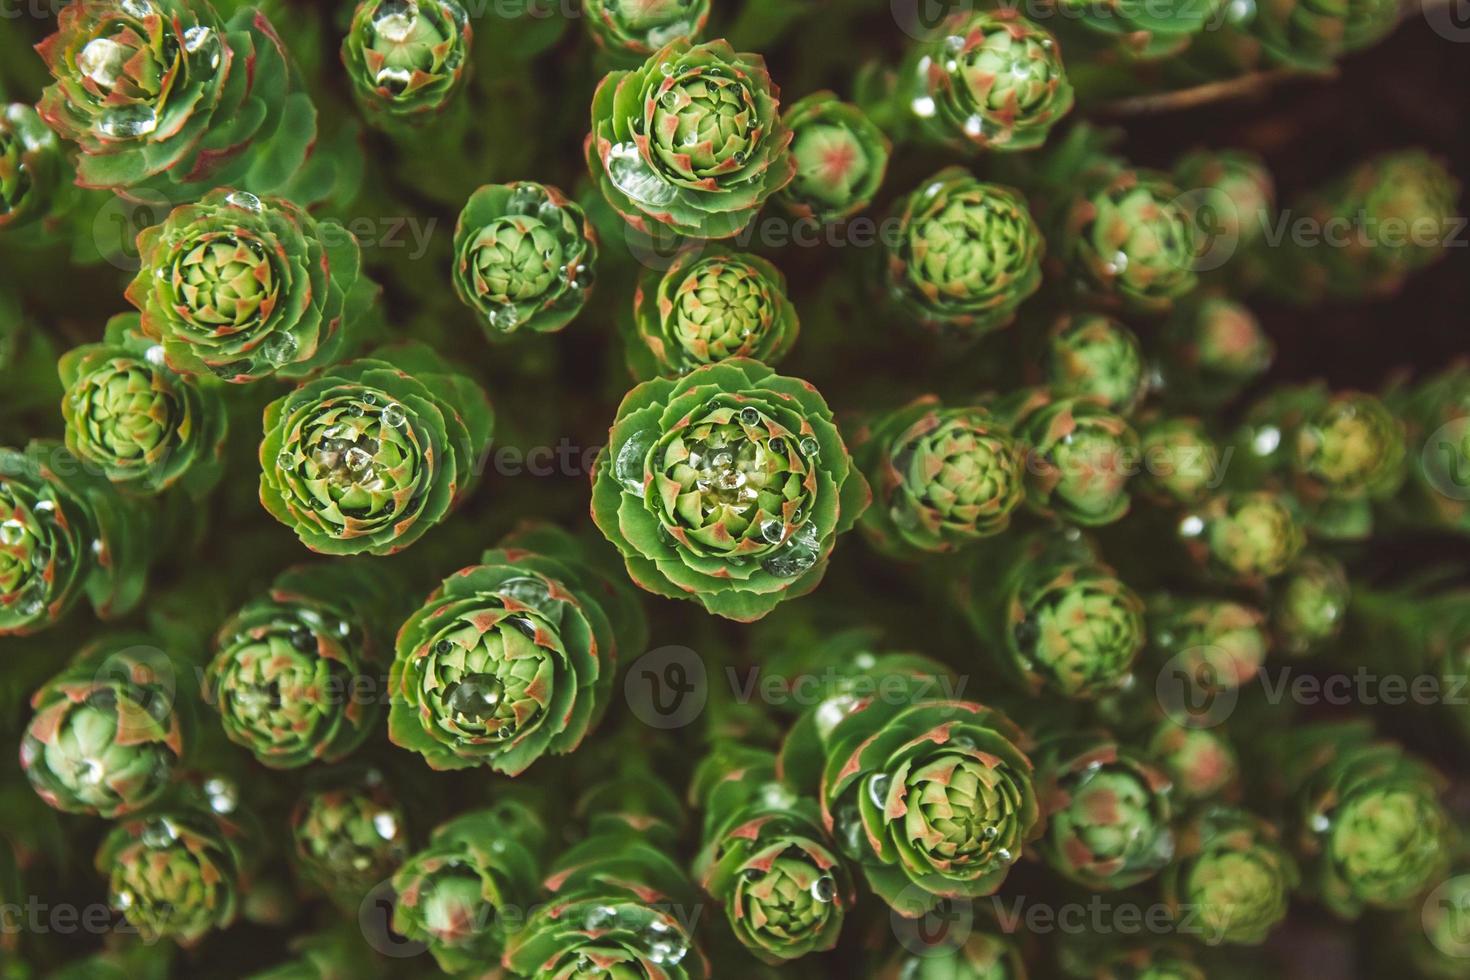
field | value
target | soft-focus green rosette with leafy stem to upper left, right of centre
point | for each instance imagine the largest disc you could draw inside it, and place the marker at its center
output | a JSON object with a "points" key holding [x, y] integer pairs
{"points": [[1055, 619]]}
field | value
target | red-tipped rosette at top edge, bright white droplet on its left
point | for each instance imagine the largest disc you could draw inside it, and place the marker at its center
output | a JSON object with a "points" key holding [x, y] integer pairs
{"points": [[987, 82]]}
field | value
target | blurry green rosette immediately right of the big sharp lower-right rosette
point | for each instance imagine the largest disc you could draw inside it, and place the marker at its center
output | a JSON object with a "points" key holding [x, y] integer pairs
{"points": [[1109, 812]]}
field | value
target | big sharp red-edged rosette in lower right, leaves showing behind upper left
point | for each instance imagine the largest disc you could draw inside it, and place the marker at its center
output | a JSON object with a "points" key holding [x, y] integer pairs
{"points": [[931, 797]]}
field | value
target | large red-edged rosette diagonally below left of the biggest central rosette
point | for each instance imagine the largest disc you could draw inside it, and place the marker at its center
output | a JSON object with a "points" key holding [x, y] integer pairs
{"points": [[514, 659]]}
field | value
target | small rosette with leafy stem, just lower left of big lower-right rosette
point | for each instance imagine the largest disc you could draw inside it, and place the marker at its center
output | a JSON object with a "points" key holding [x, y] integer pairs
{"points": [[767, 859]]}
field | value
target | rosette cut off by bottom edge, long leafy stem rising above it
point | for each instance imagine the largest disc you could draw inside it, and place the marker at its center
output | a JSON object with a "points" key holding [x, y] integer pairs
{"points": [[620, 904]]}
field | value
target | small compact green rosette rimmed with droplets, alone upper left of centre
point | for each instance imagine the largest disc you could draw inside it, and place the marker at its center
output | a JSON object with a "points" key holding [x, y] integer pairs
{"points": [[524, 259]]}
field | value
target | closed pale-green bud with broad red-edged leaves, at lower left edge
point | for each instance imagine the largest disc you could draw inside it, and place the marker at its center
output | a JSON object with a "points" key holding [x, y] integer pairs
{"points": [[111, 729]]}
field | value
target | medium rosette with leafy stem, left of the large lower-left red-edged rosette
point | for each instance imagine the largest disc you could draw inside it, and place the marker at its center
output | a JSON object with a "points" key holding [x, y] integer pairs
{"points": [[298, 674]]}
